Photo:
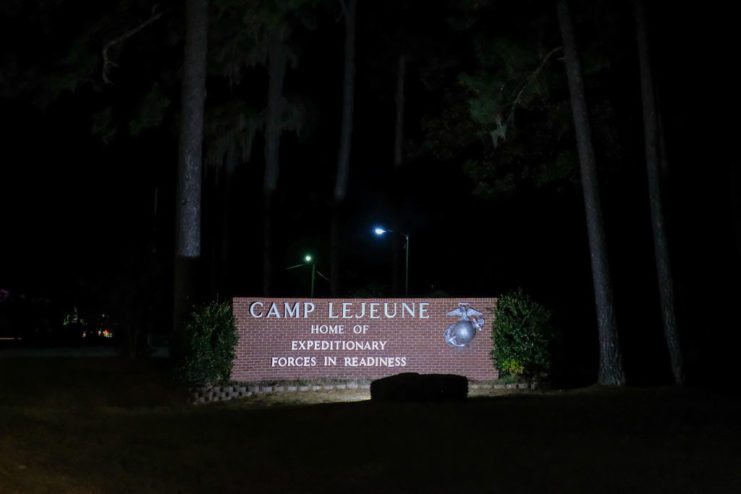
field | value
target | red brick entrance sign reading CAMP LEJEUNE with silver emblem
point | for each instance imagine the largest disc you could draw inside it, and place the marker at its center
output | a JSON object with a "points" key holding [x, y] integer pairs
{"points": [[304, 338]]}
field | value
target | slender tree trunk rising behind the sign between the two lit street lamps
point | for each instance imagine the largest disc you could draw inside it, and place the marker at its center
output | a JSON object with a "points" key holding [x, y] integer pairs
{"points": [[343, 155]]}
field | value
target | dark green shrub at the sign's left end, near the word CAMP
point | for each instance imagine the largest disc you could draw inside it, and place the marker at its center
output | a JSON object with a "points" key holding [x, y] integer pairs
{"points": [[208, 345]]}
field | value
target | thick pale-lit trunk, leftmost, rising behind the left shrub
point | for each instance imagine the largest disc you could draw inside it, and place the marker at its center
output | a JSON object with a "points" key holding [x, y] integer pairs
{"points": [[188, 195]]}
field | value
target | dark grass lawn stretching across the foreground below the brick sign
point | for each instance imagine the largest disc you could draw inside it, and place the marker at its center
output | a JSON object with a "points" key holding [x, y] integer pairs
{"points": [[108, 425]]}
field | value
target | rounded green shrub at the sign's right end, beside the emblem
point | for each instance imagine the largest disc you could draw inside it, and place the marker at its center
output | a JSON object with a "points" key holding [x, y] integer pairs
{"points": [[521, 337]]}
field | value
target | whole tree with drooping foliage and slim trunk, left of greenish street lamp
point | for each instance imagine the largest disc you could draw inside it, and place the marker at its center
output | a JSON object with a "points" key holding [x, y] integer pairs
{"points": [[250, 34]]}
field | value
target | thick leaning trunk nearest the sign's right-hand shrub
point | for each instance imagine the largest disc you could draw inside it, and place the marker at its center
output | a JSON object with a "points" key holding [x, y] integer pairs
{"points": [[610, 361]]}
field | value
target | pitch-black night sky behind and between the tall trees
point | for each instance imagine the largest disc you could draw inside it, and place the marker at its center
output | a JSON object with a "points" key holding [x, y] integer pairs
{"points": [[88, 209]]}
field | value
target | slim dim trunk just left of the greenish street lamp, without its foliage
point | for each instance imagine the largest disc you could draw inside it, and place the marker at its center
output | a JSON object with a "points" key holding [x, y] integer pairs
{"points": [[277, 60]]}
